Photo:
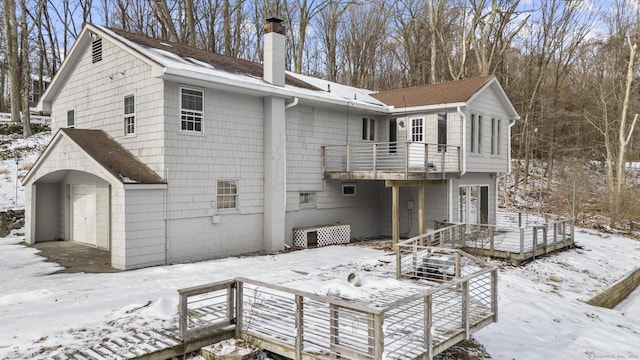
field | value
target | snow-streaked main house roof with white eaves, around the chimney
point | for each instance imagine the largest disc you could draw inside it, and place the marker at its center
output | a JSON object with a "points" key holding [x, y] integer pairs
{"points": [[182, 63]]}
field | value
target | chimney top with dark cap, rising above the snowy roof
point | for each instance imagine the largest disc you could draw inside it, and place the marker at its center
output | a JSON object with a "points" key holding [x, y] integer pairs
{"points": [[274, 43]]}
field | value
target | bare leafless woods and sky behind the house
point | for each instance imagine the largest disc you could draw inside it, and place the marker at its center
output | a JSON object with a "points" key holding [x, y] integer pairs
{"points": [[569, 67]]}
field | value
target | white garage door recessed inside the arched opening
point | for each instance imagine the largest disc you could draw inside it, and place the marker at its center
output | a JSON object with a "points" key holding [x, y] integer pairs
{"points": [[83, 213]]}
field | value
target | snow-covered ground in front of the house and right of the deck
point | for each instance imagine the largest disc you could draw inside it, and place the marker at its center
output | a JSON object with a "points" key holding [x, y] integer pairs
{"points": [[541, 313]]}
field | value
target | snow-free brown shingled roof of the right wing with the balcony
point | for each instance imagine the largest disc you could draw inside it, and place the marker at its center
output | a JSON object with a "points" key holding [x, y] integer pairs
{"points": [[442, 93]]}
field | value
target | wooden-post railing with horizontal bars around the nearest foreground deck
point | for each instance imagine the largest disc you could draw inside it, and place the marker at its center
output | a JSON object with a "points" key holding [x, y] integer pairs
{"points": [[297, 324]]}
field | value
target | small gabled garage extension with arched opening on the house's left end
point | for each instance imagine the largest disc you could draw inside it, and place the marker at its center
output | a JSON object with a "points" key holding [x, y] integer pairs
{"points": [[103, 197]]}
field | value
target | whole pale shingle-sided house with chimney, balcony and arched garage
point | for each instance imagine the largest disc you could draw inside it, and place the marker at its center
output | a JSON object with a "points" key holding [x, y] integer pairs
{"points": [[164, 153]]}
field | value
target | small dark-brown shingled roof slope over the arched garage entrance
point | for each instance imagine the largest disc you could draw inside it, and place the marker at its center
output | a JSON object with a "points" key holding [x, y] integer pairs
{"points": [[112, 156]]}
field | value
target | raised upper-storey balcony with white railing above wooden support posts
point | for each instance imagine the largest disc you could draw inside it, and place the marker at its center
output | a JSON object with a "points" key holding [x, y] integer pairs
{"points": [[390, 161]]}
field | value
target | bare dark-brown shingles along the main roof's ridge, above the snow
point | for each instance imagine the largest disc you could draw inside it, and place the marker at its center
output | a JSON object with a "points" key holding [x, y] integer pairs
{"points": [[221, 62]]}
